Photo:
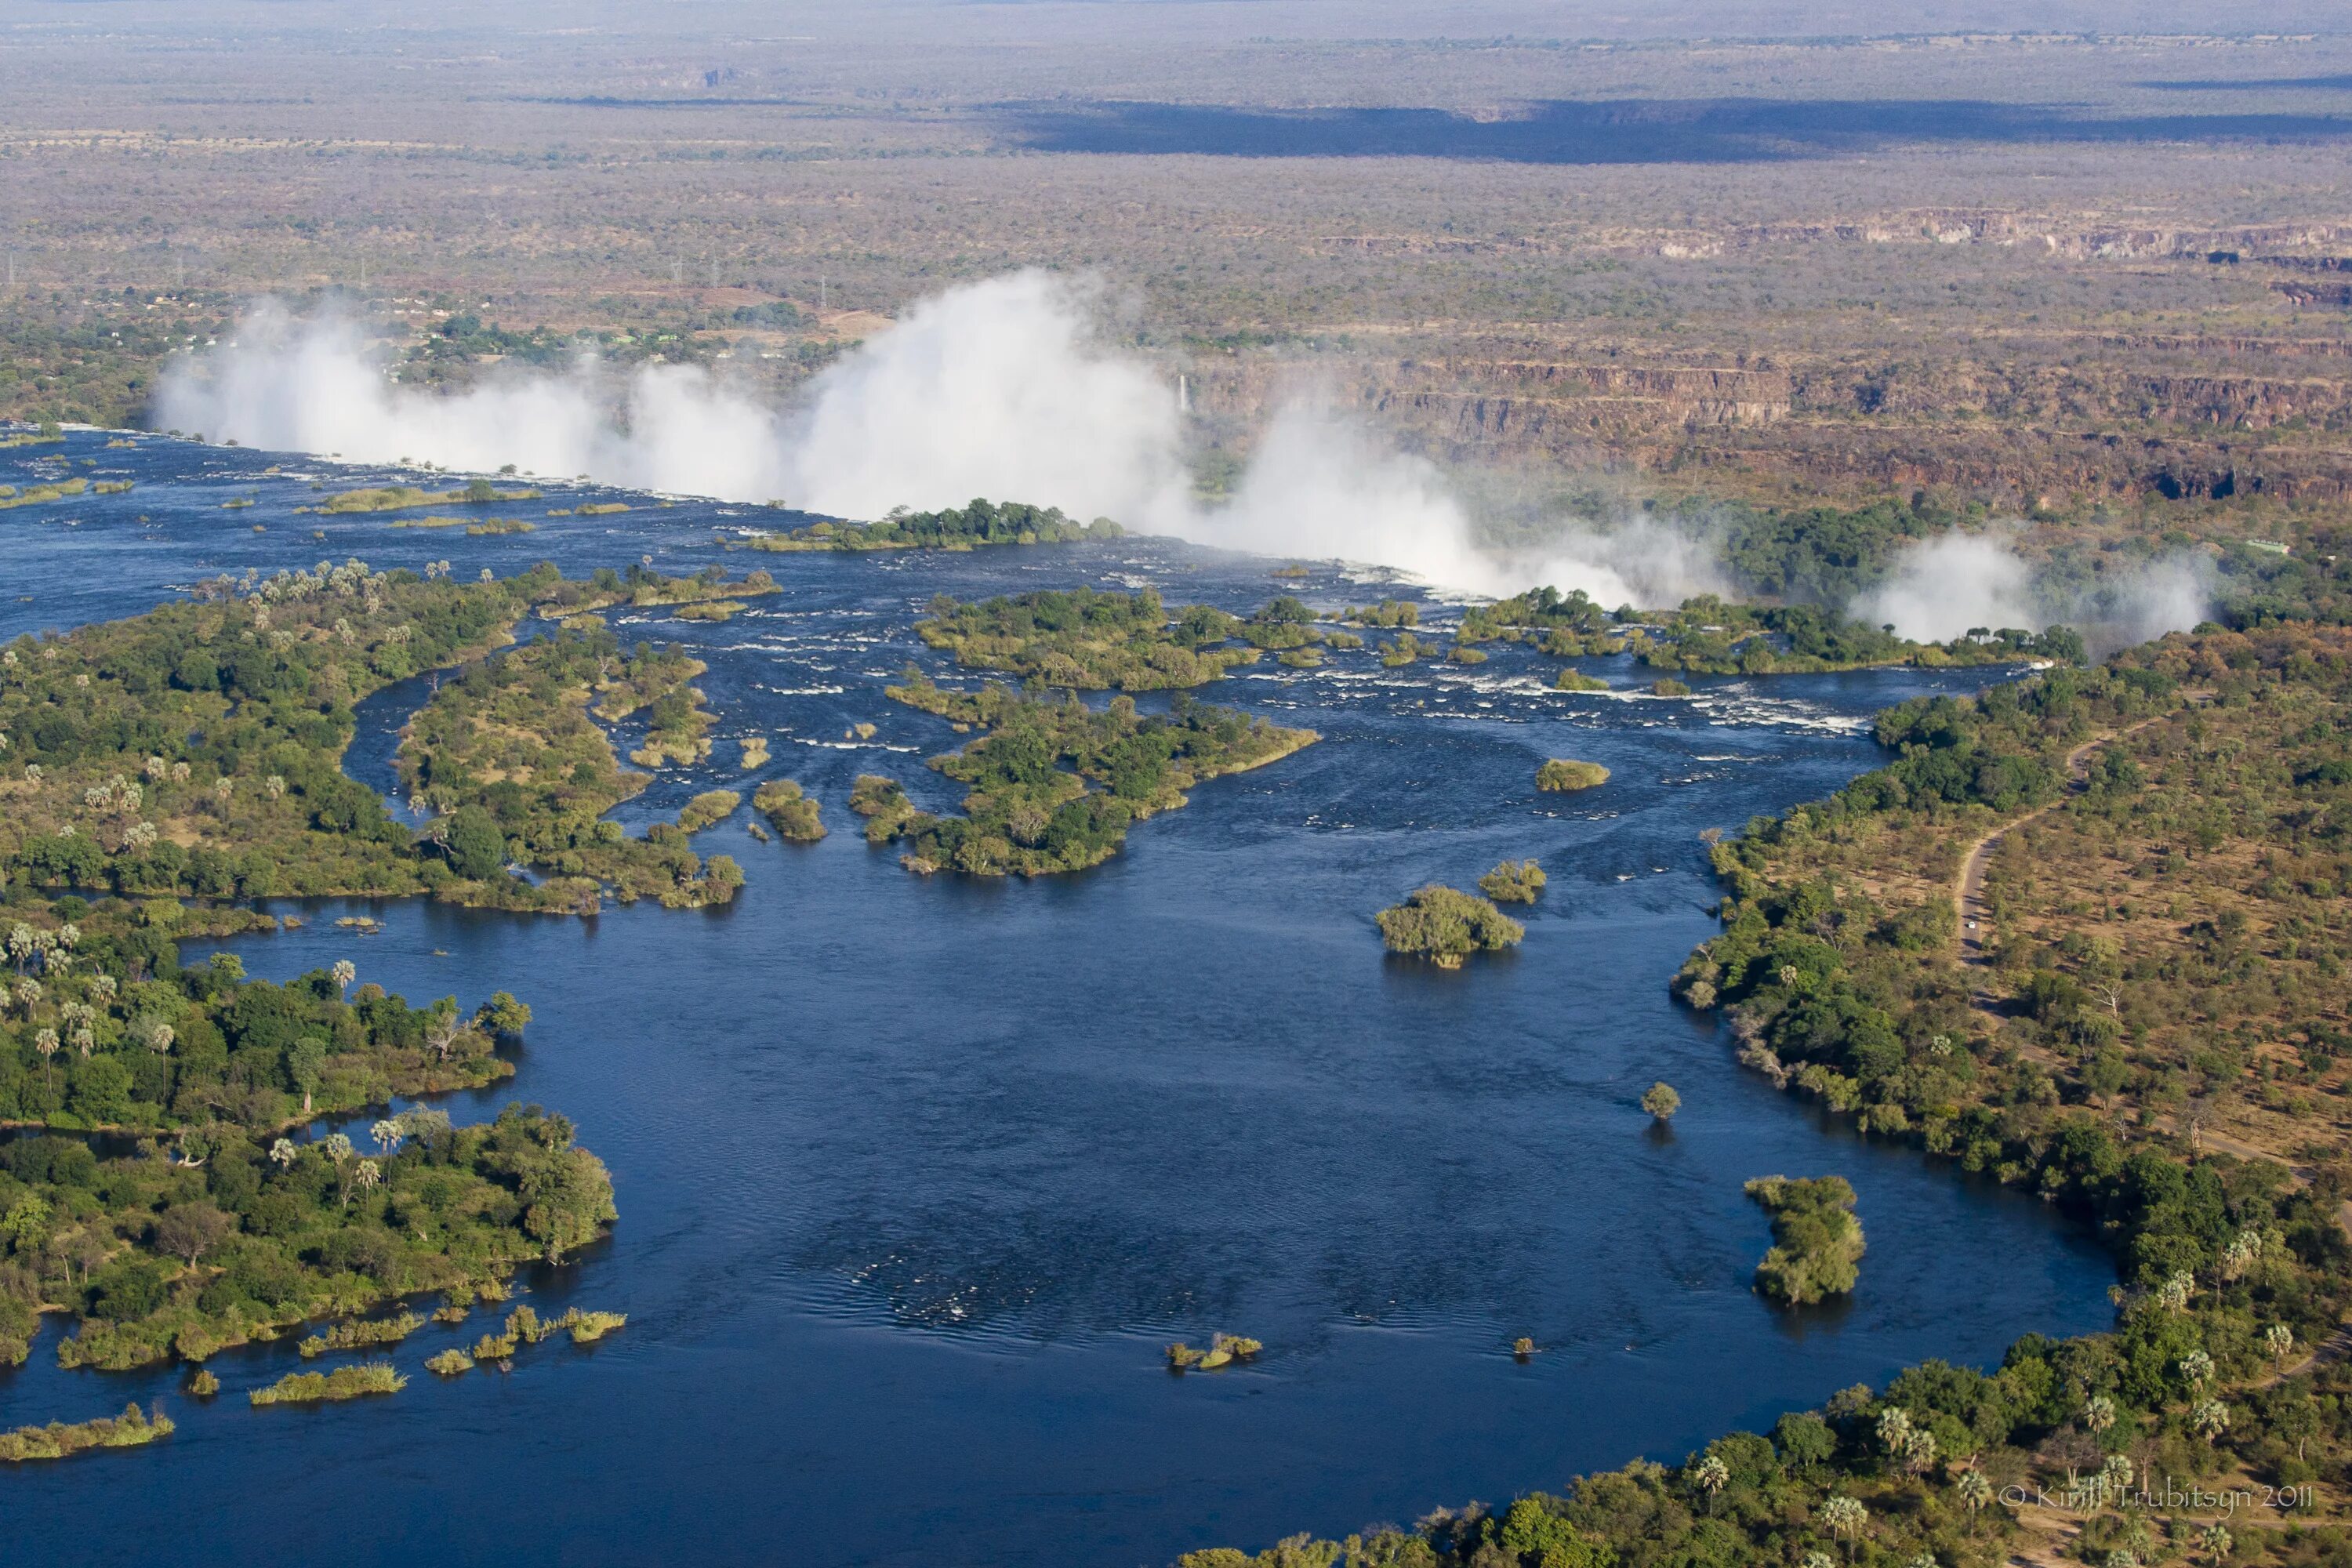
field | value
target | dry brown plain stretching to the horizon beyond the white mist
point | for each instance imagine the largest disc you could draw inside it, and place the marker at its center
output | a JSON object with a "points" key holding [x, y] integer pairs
{"points": [[2005, 269]]}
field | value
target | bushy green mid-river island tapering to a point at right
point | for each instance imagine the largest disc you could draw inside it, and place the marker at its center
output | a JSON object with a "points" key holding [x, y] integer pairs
{"points": [[1029, 815]]}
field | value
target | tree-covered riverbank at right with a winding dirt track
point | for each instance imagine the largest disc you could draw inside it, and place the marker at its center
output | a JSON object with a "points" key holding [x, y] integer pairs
{"points": [[2231, 1268]]}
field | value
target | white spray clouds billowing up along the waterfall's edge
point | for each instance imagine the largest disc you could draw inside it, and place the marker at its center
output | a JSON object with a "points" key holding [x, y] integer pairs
{"points": [[1005, 389]]}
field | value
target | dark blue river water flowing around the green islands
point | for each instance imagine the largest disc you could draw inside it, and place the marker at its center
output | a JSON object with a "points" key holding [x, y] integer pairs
{"points": [[918, 1177]]}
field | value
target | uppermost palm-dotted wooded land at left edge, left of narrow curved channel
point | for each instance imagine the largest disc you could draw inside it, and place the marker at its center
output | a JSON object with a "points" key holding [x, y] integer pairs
{"points": [[196, 749]]}
